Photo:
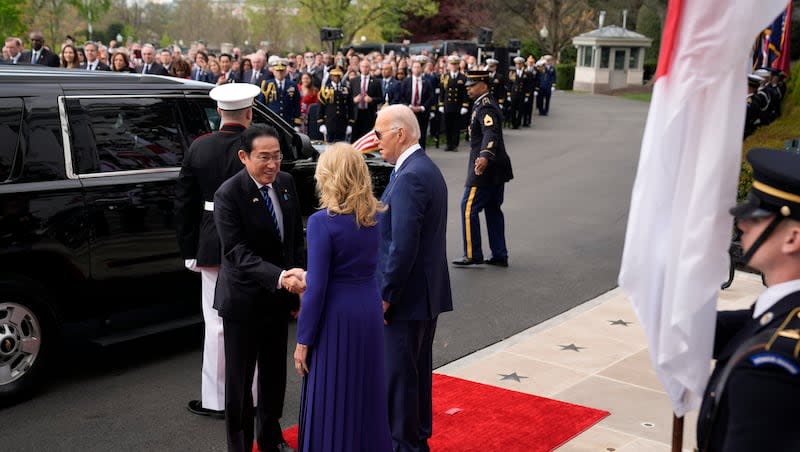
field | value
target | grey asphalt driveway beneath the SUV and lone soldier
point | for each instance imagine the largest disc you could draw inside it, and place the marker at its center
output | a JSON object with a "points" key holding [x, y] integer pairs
{"points": [[566, 212]]}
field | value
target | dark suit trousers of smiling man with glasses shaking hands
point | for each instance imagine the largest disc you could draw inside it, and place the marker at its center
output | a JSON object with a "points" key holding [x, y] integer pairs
{"points": [[262, 338]]}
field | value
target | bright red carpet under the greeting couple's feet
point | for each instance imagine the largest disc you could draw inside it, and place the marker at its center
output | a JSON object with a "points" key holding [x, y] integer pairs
{"points": [[471, 416]]}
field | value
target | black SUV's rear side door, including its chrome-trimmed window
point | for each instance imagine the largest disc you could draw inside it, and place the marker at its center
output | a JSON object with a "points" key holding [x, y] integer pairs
{"points": [[127, 151]]}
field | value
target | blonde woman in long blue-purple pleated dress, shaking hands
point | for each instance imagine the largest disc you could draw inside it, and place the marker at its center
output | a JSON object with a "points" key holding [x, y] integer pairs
{"points": [[340, 328]]}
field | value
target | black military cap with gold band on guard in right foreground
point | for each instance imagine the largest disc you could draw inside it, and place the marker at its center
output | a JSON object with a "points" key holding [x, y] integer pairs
{"points": [[776, 185]]}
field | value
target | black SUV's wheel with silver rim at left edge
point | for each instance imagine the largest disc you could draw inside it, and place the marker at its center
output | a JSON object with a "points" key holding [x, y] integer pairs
{"points": [[28, 335]]}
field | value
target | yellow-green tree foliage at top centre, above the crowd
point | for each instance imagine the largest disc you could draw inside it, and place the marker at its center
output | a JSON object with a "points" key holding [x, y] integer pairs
{"points": [[353, 17]]}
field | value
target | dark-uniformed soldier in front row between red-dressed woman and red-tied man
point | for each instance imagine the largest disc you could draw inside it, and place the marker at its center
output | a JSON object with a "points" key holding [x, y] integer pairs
{"points": [[335, 119]]}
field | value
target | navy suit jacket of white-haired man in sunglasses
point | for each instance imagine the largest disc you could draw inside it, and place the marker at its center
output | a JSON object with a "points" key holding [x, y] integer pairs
{"points": [[412, 263]]}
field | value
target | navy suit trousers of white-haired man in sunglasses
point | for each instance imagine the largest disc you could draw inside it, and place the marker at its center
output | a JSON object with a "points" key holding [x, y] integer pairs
{"points": [[409, 373]]}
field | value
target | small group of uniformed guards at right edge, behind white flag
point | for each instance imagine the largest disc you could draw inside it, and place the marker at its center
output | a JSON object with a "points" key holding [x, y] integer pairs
{"points": [[766, 88]]}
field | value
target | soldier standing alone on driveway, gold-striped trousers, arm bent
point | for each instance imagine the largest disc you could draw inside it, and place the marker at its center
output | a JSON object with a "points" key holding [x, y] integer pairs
{"points": [[488, 171]]}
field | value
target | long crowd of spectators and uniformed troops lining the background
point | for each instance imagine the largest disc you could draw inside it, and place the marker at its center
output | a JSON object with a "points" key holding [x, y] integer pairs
{"points": [[332, 97]]}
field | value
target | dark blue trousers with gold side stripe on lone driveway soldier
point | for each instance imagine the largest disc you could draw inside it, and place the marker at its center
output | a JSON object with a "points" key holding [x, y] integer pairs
{"points": [[489, 199]]}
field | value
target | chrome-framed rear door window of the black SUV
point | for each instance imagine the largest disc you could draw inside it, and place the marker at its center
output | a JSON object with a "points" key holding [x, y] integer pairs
{"points": [[112, 134]]}
